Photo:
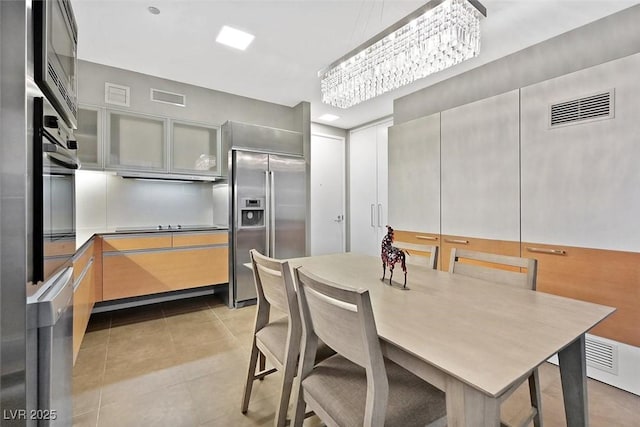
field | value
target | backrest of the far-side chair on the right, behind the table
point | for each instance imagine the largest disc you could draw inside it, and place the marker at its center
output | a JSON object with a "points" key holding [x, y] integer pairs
{"points": [[503, 269]]}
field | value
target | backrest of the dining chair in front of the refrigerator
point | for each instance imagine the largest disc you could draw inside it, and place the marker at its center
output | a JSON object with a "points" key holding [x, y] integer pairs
{"points": [[274, 285]]}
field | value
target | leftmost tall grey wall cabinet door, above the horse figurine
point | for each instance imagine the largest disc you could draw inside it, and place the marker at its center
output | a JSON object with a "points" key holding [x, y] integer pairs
{"points": [[414, 175]]}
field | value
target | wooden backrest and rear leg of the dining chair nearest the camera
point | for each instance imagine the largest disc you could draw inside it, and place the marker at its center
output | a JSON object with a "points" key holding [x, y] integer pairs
{"points": [[343, 318]]}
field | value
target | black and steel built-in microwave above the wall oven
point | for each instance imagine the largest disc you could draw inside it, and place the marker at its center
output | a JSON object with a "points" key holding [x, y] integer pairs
{"points": [[56, 59]]}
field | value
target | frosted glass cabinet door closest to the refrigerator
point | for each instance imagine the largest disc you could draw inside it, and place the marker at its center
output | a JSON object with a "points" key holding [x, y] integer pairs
{"points": [[195, 148]]}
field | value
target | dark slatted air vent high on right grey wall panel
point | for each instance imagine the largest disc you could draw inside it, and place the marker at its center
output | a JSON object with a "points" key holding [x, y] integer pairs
{"points": [[582, 110]]}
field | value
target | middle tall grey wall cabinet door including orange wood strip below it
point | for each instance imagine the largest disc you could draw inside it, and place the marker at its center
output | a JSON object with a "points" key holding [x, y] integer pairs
{"points": [[481, 176]]}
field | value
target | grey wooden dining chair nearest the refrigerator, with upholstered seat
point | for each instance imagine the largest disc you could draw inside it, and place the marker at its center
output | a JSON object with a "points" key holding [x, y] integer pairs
{"points": [[276, 340]]}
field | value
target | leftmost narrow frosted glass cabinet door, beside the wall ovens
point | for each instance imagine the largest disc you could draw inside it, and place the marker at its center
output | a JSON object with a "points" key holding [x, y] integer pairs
{"points": [[89, 137]]}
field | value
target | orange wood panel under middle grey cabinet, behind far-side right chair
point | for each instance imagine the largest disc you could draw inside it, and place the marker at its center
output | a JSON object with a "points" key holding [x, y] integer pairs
{"points": [[500, 247]]}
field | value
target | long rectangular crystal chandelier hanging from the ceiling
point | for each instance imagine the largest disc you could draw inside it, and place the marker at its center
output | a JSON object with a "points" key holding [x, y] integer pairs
{"points": [[439, 35]]}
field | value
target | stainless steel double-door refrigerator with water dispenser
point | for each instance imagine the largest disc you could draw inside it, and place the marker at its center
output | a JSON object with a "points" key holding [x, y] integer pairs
{"points": [[268, 211]]}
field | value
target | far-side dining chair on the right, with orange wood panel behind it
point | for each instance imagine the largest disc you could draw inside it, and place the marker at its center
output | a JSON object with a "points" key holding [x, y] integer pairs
{"points": [[507, 270]]}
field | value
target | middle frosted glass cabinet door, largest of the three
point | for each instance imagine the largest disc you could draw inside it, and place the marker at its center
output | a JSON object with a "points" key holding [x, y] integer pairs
{"points": [[136, 142]]}
